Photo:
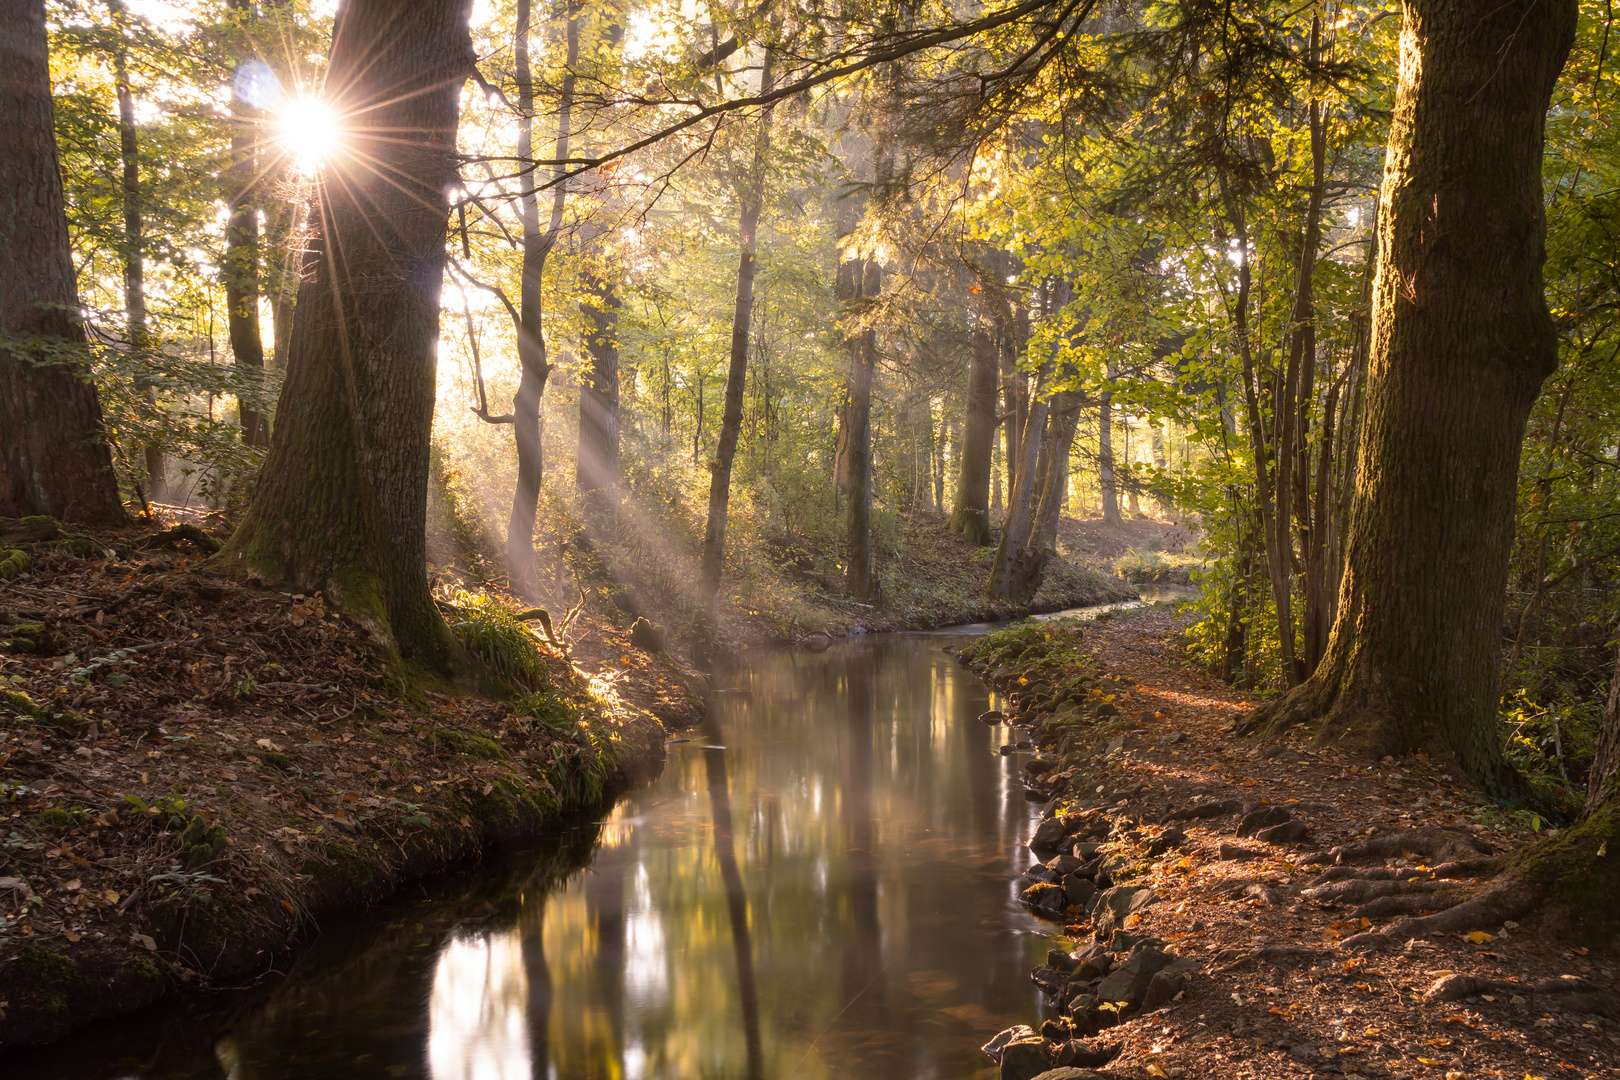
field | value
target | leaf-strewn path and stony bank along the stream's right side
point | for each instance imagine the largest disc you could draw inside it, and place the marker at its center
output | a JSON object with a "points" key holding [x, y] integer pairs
{"points": [[1154, 793]]}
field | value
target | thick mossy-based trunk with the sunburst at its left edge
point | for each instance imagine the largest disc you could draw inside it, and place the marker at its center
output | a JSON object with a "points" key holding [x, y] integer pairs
{"points": [[341, 503]]}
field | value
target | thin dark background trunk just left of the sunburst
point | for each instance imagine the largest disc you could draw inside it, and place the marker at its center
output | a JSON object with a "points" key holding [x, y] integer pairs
{"points": [[242, 255]]}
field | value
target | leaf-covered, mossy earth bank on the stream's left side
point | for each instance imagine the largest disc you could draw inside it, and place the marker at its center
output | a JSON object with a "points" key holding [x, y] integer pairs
{"points": [[192, 770]]}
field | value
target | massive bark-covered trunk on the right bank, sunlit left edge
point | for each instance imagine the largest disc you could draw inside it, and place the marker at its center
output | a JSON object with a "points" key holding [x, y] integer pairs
{"points": [[1462, 344]]}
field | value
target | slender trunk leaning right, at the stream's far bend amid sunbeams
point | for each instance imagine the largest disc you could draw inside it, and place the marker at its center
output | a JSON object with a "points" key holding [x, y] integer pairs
{"points": [[752, 200]]}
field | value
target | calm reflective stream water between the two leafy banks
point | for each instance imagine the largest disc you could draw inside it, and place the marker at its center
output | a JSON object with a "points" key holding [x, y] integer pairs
{"points": [[817, 887]]}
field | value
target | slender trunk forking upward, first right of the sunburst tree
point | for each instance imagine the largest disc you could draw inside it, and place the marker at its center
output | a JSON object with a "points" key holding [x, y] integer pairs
{"points": [[531, 331]]}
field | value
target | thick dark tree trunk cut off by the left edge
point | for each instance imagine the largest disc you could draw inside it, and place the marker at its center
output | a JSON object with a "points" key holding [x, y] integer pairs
{"points": [[53, 454]]}
